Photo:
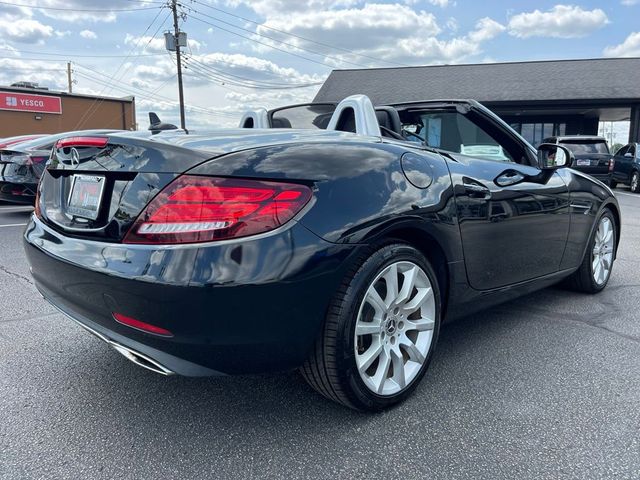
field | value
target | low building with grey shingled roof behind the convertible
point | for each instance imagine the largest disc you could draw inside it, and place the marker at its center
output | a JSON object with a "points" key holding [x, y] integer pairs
{"points": [[539, 99]]}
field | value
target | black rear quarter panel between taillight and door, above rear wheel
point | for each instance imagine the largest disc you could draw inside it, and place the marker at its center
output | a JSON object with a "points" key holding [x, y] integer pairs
{"points": [[360, 190]]}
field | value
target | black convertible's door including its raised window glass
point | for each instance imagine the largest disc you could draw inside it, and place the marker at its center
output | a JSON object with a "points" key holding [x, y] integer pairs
{"points": [[513, 217]]}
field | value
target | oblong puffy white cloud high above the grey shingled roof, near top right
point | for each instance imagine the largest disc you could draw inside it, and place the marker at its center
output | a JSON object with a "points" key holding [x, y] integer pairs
{"points": [[562, 21]]}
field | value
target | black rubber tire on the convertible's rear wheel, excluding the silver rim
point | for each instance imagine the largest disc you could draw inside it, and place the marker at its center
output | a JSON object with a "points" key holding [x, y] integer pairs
{"points": [[331, 368]]}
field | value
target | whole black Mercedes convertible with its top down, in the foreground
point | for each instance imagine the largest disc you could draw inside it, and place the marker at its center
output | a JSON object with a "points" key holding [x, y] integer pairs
{"points": [[339, 251]]}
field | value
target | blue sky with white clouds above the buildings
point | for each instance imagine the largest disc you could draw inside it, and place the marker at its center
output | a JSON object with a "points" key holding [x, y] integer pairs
{"points": [[245, 54]]}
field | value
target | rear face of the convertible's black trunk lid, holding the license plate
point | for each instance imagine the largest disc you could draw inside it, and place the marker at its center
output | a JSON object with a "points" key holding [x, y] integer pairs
{"points": [[95, 187]]}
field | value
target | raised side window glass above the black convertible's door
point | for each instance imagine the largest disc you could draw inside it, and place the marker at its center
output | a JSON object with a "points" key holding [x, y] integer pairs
{"points": [[455, 133]]}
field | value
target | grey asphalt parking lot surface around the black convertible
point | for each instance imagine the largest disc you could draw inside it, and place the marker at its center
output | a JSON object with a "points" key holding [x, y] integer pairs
{"points": [[547, 386]]}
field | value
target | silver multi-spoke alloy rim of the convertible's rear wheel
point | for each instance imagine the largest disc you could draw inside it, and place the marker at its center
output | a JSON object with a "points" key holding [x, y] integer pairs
{"points": [[394, 328]]}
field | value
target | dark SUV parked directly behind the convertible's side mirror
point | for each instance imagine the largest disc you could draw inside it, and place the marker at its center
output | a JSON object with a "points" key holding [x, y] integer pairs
{"points": [[591, 153]]}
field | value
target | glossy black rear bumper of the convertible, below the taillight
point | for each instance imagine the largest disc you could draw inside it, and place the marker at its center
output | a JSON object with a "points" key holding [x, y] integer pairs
{"points": [[239, 307]]}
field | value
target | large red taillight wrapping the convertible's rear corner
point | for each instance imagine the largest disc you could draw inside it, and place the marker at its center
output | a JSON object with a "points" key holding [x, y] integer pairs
{"points": [[203, 209]]}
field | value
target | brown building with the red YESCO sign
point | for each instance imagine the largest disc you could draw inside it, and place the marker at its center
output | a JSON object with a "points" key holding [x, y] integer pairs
{"points": [[25, 111]]}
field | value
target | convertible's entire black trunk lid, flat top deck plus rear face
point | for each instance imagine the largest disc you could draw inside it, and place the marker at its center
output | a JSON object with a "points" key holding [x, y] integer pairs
{"points": [[95, 187]]}
